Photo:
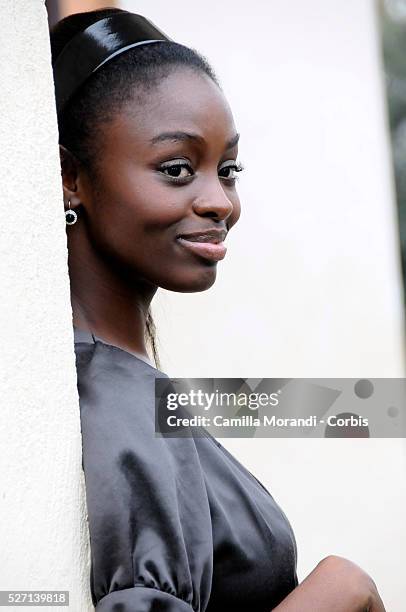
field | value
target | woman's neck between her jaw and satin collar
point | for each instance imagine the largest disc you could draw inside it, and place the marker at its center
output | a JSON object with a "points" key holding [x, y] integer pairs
{"points": [[106, 300]]}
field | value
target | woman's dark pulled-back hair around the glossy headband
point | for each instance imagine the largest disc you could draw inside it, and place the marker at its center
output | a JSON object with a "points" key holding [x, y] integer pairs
{"points": [[130, 75]]}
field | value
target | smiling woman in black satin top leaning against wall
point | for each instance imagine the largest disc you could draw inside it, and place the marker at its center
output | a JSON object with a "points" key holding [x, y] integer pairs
{"points": [[149, 163]]}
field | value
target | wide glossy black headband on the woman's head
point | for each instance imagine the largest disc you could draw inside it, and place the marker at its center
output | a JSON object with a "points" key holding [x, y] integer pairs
{"points": [[89, 50]]}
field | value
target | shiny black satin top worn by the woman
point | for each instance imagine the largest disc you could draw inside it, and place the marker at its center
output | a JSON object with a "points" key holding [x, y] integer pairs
{"points": [[176, 524]]}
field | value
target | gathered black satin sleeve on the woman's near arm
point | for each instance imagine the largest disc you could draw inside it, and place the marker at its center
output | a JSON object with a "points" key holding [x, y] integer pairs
{"points": [[148, 510]]}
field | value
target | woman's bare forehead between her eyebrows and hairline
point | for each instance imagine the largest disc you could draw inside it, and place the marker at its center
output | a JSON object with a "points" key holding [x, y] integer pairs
{"points": [[185, 100]]}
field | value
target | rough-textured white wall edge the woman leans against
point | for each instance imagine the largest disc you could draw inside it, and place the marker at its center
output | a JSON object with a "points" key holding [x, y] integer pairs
{"points": [[43, 532]]}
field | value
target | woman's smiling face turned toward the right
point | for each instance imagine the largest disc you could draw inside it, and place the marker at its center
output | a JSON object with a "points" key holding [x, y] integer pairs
{"points": [[167, 169]]}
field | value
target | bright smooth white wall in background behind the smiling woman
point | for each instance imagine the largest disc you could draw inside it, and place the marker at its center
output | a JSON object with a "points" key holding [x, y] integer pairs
{"points": [[311, 282]]}
